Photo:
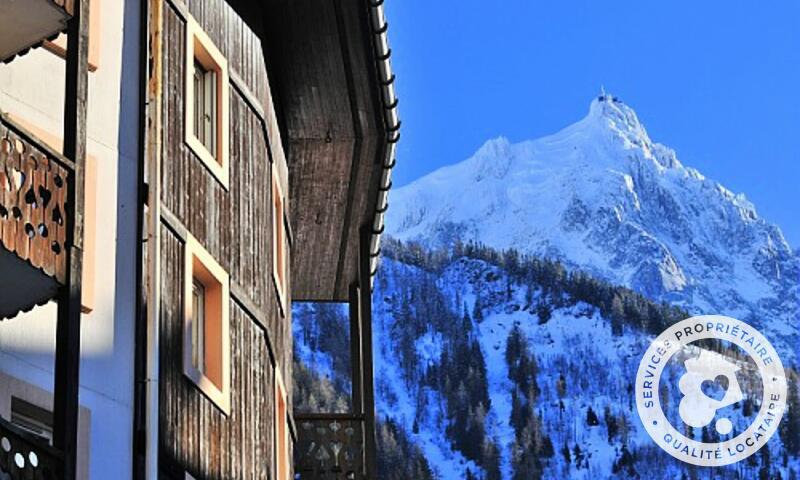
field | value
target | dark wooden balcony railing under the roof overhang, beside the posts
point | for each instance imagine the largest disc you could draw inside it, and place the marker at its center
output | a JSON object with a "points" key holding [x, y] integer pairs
{"points": [[329, 446]]}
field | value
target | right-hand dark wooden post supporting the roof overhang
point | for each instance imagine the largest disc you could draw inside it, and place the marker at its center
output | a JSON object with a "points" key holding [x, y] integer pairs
{"points": [[365, 297]]}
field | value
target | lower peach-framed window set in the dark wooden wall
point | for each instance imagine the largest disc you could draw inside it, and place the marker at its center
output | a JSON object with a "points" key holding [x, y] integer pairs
{"points": [[206, 356]]}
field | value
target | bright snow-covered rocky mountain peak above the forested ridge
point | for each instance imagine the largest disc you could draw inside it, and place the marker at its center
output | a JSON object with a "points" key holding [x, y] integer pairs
{"points": [[603, 197]]}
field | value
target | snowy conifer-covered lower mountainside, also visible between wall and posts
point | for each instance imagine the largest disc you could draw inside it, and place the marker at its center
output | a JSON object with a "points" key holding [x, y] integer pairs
{"points": [[496, 365]]}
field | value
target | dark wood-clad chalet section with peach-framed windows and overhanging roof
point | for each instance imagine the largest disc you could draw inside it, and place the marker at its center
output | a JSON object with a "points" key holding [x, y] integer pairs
{"points": [[271, 131]]}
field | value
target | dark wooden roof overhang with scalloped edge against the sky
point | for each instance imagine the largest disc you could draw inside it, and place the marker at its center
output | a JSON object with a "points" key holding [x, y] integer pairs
{"points": [[333, 91]]}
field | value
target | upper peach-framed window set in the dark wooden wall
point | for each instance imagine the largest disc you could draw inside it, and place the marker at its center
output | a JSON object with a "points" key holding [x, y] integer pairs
{"points": [[207, 102]]}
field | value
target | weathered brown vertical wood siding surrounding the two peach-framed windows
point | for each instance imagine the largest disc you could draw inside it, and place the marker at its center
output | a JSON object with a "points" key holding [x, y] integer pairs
{"points": [[234, 226]]}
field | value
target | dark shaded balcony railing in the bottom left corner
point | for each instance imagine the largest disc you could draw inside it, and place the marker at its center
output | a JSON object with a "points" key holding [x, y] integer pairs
{"points": [[26, 457]]}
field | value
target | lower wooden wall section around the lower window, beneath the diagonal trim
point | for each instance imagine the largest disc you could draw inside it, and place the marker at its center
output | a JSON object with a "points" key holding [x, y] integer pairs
{"points": [[195, 434]]}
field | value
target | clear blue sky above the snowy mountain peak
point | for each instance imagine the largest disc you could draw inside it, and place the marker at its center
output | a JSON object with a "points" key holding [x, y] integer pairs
{"points": [[718, 81]]}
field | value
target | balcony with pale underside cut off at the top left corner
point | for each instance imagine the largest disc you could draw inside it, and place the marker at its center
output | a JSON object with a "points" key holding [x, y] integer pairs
{"points": [[29, 22]]}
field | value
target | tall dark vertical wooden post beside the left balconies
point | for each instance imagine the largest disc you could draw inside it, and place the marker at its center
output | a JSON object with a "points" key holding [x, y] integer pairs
{"points": [[68, 330]]}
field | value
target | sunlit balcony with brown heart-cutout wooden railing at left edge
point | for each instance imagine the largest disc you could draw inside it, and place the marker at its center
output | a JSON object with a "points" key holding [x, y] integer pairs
{"points": [[34, 184]]}
